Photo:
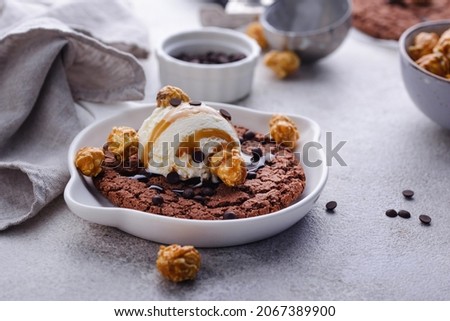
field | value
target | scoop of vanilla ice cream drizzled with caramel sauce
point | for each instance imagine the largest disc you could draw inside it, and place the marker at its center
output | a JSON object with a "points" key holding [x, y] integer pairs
{"points": [[171, 135]]}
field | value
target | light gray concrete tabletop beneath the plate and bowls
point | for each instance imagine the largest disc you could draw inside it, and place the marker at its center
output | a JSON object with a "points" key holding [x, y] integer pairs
{"points": [[357, 253]]}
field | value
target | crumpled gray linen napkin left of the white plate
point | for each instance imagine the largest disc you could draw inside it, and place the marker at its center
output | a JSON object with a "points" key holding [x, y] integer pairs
{"points": [[45, 65]]}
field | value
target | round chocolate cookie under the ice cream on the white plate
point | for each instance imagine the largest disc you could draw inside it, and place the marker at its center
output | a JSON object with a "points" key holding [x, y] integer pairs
{"points": [[273, 184]]}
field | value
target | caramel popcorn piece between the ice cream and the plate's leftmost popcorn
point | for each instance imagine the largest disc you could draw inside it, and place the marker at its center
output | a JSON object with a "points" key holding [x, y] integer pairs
{"points": [[123, 141]]}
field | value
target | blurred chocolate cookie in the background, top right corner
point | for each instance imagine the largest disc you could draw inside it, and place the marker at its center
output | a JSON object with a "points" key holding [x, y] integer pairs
{"points": [[388, 19]]}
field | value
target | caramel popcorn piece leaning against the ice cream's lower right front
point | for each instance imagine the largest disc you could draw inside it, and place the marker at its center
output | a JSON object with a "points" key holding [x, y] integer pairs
{"points": [[229, 166]]}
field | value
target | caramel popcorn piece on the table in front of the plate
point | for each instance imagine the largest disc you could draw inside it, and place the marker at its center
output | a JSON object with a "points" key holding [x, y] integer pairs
{"points": [[178, 263]]}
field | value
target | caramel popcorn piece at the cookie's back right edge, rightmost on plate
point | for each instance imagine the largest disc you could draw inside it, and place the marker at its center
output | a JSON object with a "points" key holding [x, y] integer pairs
{"points": [[284, 131]]}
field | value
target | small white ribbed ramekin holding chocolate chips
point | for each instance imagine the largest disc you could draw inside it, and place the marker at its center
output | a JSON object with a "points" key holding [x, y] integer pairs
{"points": [[214, 82]]}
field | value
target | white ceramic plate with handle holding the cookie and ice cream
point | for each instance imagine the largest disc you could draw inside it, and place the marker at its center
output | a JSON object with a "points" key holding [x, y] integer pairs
{"points": [[86, 202]]}
